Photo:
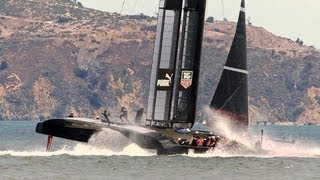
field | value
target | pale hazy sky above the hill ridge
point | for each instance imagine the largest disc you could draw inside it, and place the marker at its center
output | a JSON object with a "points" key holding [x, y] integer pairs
{"points": [[287, 18]]}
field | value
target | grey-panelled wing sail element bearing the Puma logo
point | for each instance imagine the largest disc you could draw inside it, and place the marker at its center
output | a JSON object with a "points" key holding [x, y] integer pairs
{"points": [[164, 58]]}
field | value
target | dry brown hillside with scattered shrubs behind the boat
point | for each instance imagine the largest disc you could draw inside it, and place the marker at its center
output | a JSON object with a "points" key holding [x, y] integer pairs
{"points": [[57, 57]]}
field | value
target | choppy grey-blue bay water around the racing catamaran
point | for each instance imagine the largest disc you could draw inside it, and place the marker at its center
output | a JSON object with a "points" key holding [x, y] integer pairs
{"points": [[110, 156]]}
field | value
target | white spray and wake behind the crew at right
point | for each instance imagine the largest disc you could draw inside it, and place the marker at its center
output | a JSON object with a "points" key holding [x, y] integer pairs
{"points": [[271, 148]]}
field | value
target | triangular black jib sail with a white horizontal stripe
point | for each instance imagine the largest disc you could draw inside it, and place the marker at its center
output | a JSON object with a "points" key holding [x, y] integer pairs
{"points": [[231, 95]]}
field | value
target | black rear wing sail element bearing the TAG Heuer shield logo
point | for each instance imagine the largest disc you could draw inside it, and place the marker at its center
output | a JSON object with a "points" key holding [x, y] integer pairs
{"points": [[188, 64]]}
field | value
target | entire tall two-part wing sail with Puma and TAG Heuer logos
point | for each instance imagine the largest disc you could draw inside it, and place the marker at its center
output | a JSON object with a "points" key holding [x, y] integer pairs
{"points": [[176, 62]]}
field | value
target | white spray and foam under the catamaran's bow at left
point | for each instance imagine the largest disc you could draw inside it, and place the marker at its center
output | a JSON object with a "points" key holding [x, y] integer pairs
{"points": [[105, 143]]}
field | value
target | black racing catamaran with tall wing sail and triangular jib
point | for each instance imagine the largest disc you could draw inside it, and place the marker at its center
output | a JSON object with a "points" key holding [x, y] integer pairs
{"points": [[173, 91]]}
